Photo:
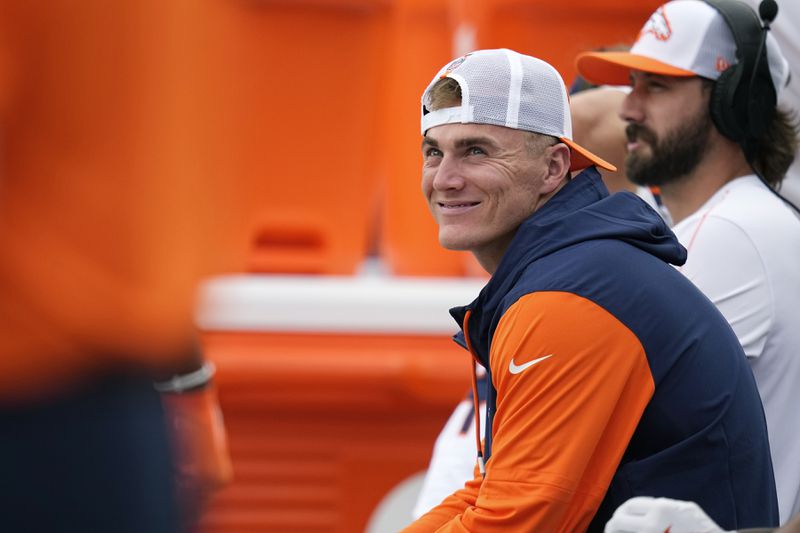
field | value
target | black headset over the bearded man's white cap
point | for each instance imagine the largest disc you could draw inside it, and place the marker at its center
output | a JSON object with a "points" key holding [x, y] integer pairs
{"points": [[743, 100]]}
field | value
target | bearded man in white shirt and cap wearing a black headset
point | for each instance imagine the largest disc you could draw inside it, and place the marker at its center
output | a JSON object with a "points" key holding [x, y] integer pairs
{"points": [[703, 126]]}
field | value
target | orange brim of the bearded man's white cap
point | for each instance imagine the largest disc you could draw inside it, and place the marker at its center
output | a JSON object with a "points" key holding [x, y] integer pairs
{"points": [[614, 68]]}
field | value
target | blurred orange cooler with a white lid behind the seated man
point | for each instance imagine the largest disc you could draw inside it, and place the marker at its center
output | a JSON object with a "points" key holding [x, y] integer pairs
{"points": [[333, 391]]}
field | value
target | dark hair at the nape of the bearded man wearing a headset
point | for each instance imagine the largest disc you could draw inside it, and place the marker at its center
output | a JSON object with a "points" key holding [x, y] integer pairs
{"points": [[774, 151]]}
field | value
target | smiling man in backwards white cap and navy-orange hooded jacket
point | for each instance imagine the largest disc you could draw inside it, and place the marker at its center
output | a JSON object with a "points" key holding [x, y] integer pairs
{"points": [[598, 351]]}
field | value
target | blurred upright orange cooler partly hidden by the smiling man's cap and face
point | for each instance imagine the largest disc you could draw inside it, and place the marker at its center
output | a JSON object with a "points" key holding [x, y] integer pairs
{"points": [[422, 41]]}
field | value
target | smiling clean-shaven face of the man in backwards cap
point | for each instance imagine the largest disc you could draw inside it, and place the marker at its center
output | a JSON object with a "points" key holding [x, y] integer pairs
{"points": [[481, 182]]}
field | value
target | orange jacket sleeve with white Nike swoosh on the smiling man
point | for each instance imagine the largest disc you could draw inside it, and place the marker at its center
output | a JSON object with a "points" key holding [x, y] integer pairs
{"points": [[562, 422]]}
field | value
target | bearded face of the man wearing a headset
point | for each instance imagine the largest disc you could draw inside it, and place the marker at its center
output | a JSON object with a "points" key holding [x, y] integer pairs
{"points": [[668, 130]]}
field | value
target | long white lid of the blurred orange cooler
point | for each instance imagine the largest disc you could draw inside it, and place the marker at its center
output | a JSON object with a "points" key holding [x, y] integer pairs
{"points": [[340, 304]]}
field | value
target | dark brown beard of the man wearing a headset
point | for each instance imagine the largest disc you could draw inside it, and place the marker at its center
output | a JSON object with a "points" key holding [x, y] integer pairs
{"points": [[672, 158]]}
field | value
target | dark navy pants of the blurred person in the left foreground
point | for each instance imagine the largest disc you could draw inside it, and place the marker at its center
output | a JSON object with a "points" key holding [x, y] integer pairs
{"points": [[93, 461]]}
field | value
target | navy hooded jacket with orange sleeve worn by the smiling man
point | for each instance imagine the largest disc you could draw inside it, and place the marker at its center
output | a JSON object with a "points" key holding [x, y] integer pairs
{"points": [[612, 376]]}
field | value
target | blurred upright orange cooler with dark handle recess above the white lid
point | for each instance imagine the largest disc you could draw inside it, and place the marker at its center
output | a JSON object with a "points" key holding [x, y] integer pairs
{"points": [[292, 91]]}
